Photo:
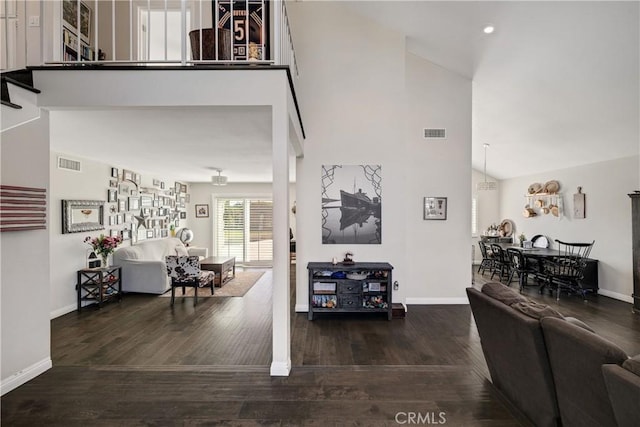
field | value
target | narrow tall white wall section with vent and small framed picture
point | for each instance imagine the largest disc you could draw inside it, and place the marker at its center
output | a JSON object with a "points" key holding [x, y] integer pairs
{"points": [[437, 251]]}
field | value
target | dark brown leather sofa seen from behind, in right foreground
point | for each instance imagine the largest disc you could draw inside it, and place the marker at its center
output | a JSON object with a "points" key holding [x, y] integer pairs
{"points": [[547, 366]]}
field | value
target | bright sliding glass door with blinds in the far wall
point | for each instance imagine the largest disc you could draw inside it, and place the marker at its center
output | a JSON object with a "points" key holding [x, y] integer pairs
{"points": [[244, 229]]}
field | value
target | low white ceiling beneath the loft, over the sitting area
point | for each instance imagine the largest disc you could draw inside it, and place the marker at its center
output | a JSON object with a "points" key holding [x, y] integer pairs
{"points": [[187, 143]]}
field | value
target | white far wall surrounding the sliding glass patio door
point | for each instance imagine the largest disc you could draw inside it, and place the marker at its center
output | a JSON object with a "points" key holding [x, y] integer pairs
{"points": [[202, 193]]}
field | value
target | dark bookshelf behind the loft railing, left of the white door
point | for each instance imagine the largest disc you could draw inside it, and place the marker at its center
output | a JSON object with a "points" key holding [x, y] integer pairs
{"points": [[70, 30]]}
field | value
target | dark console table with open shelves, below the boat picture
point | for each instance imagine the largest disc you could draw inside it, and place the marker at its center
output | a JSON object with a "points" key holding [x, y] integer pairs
{"points": [[362, 287]]}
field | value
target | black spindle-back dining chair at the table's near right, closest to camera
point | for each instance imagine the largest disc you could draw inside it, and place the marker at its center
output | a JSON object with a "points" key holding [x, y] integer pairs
{"points": [[566, 270]]}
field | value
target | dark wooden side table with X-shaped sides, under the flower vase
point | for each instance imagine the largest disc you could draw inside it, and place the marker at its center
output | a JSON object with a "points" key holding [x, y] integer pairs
{"points": [[99, 285]]}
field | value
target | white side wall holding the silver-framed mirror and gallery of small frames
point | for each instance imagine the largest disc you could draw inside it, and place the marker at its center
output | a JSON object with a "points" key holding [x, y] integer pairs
{"points": [[68, 251]]}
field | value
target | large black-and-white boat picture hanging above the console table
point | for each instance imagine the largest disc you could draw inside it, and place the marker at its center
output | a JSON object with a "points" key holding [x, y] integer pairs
{"points": [[351, 204]]}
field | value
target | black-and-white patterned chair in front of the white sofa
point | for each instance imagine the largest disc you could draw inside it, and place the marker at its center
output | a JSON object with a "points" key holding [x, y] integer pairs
{"points": [[185, 271]]}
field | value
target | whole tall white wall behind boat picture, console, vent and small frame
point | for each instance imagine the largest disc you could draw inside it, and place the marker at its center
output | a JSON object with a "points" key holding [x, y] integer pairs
{"points": [[360, 107]]}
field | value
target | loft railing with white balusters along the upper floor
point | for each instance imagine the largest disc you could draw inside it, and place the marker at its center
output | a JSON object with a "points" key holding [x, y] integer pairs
{"points": [[145, 32]]}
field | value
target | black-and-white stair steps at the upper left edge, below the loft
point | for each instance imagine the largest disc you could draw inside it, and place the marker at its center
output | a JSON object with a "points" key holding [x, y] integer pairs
{"points": [[19, 98]]}
